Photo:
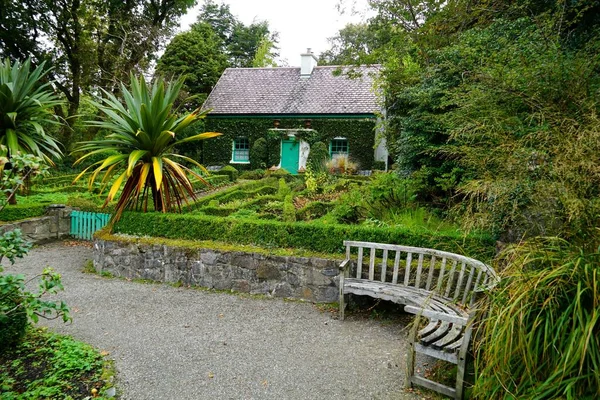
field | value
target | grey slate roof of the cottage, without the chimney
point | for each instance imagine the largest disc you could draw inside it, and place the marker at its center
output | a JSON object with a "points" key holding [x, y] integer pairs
{"points": [[283, 91]]}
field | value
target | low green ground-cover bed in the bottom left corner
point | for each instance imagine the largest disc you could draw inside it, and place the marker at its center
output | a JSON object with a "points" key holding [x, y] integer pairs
{"points": [[51, 366]]}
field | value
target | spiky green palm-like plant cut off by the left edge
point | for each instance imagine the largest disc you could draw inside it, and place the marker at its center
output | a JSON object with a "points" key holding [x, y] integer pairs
{"points": [[25, 107]]}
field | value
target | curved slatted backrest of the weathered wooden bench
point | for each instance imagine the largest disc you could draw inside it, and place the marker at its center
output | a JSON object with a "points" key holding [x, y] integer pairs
{"points": [[452, 276]]}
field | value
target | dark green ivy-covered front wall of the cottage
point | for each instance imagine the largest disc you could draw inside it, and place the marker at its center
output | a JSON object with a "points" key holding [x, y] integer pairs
{"points": [[359, 132]]}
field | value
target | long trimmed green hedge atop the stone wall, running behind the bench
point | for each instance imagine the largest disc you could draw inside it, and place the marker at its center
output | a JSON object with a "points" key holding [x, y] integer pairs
{"points": [[310, 236]]}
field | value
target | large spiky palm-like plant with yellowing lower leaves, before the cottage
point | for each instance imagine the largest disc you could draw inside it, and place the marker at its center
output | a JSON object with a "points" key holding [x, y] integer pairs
{"points": [[140, 147]]}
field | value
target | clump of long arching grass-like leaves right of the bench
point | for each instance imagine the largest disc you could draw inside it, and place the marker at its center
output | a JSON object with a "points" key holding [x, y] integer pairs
{"points": [[541, 337]]}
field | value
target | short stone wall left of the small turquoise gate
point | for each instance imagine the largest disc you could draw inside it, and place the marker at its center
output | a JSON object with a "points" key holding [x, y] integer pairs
{"points": [[56, 224]]}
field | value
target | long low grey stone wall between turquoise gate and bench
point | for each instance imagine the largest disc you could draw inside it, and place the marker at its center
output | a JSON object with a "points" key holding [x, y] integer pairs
{"points": [[307, 278]]}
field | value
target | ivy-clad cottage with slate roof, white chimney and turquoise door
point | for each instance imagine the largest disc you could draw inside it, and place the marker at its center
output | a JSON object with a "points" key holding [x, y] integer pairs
{"points": [[293, 108]]}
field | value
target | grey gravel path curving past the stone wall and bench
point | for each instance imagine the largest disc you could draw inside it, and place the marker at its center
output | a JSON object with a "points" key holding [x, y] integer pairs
{"points": [[176, 343]]}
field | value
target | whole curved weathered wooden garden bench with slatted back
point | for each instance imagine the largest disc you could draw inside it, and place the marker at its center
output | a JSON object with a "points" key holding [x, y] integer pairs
{"points": [[436, 285]]}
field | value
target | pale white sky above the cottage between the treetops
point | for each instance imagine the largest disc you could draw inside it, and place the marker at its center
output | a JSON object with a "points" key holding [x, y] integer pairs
{"points": [[301, 23]]}
